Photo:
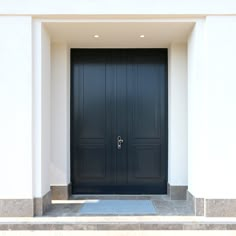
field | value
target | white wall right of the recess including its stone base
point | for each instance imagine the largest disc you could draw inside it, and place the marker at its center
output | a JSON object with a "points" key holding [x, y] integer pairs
{"points": [[212, 115]]}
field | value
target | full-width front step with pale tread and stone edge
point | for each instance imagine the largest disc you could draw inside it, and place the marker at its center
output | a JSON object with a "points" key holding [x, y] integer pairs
{"points": [[118, 223]]}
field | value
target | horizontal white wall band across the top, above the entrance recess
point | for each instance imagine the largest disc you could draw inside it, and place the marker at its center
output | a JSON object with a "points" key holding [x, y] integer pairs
{"points": [[133, 7]]}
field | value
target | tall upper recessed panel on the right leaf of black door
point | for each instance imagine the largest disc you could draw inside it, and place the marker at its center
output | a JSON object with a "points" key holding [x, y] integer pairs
{"points": [[146, 103]]}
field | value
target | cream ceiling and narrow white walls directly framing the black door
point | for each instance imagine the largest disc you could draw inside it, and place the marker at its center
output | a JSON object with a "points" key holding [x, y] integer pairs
{"points": [[171, 34]]}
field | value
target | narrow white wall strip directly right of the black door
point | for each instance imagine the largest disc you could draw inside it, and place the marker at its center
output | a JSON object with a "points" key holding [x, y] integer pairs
{"points": [[178, 116]]}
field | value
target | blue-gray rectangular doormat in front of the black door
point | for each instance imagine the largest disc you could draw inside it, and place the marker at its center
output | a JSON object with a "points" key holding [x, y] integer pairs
{"points": [[118, 207]]}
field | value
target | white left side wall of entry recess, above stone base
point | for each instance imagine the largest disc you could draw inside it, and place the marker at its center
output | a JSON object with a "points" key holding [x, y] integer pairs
{"points": [[42, 110]]}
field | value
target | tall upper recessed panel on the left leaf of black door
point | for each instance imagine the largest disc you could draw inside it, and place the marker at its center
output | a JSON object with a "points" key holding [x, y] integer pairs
{"points": [[93, 115]]}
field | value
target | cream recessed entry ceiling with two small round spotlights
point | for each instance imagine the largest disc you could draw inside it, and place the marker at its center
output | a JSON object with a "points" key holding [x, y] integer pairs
{"points": [[119, 34]]}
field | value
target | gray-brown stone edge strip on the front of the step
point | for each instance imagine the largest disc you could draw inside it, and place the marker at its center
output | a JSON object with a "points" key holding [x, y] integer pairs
{"points": [[119, 226]]}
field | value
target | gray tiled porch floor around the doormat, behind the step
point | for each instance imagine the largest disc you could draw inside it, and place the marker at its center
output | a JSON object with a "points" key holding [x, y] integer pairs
{"points": [[163, 205]]}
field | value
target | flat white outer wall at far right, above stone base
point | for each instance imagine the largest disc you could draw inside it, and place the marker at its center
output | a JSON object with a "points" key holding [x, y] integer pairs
{"points": [[221, 78]]}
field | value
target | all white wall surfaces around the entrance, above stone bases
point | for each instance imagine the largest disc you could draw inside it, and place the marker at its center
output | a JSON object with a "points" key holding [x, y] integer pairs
{"points": [[25, 105]]}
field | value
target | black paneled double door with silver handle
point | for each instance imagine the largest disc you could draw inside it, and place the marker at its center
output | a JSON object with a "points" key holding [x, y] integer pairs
{"points": [[119, 121]]}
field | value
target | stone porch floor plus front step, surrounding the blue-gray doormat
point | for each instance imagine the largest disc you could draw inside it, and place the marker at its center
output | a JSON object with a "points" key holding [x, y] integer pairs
{"points": [[171, 215]]}
